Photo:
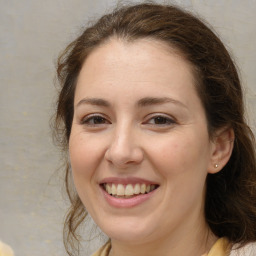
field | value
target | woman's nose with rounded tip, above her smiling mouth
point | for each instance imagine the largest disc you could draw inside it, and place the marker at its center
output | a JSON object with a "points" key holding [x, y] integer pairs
{"points": [[124, 149]]}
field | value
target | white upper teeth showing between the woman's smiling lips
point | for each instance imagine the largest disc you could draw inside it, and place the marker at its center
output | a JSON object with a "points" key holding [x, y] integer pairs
{"points": [[129, 190]]}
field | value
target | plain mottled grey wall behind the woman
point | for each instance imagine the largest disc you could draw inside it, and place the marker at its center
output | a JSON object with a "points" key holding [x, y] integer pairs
{"points": [[32, 33]]}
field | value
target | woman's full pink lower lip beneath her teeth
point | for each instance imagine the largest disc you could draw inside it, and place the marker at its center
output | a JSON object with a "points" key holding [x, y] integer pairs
{"points": [[127, 202]]}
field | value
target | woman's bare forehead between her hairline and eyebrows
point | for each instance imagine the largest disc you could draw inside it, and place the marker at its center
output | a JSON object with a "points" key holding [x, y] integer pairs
{"points": [[147, 63]]}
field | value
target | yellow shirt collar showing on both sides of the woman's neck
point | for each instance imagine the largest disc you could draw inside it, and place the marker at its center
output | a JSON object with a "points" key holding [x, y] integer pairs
{"points": [[220, 248]]}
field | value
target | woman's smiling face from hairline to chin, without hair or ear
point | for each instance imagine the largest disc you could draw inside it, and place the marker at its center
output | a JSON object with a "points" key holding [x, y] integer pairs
{"points": [[139, 145]]}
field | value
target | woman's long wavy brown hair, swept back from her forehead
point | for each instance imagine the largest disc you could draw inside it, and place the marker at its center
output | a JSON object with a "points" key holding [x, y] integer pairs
{"points": [[230, 206]]}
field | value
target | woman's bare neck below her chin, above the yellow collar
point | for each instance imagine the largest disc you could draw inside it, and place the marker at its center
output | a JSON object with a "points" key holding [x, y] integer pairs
{"points": [[191, 244]]}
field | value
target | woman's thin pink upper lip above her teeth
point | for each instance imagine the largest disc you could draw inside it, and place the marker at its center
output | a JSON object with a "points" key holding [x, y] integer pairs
{"points": [[127, 180]]}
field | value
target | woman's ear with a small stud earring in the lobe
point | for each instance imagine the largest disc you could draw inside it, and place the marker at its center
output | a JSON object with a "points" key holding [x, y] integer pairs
{"points": [[222, 147]]}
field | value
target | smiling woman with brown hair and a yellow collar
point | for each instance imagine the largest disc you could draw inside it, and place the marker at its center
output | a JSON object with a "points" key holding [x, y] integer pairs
{"points": [[151, 114]]}
